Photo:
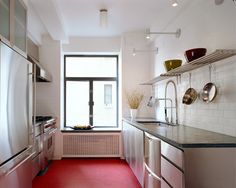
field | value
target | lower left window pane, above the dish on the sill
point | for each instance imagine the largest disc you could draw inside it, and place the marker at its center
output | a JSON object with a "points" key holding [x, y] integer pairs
{"points": [[77, 98]]}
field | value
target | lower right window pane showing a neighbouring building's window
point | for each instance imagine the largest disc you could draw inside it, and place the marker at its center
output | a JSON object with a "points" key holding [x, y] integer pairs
{"points": [[104, 115]]}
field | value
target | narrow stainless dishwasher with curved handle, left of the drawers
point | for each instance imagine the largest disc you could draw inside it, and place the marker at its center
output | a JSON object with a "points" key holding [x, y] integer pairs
{"points": [[152, 161]]}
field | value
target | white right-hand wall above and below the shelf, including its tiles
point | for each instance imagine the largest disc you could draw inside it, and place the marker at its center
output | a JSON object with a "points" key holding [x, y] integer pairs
{"points": [[206, 25]]}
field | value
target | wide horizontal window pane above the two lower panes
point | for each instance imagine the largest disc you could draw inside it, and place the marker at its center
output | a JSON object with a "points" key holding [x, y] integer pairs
{"points": [[91, 66]]}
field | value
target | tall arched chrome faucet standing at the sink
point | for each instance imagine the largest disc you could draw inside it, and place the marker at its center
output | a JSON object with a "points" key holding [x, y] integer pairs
{"points": [[176, 103]]}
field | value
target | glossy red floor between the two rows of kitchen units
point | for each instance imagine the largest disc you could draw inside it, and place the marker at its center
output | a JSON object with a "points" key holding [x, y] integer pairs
{"points": [[87, 173]]}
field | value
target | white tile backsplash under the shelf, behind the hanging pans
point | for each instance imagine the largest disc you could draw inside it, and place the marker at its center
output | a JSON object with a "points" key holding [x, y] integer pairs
{"points": [[220, 114]]}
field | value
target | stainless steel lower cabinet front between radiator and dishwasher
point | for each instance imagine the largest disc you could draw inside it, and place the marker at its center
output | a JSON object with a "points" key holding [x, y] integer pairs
{"points": [[133, 150]]}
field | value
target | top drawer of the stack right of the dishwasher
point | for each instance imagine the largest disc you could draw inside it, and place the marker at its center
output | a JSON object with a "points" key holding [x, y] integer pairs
{"points": [[173, 154]]}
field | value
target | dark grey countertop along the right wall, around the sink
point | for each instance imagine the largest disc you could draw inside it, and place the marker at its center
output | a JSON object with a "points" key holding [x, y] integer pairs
{"points": [[184, 136]]}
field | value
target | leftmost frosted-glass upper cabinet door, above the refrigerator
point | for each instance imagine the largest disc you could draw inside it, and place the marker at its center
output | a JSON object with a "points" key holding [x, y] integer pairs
{"points": [[5, 19]]}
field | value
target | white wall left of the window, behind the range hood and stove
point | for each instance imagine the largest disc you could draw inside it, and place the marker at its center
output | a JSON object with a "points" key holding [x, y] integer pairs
{"points": [[48, 94]]}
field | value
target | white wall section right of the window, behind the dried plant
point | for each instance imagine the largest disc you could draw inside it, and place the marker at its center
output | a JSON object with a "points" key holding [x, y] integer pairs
{"points": [[135, 70]]}
